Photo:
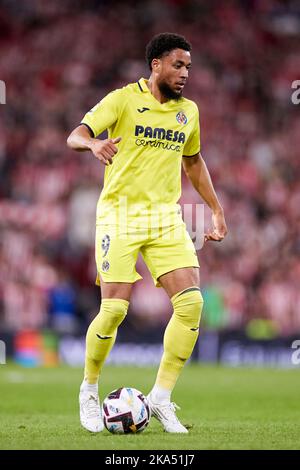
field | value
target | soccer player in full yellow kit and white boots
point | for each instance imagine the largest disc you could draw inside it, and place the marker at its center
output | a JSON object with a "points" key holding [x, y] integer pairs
{"points": [[152, 130]]}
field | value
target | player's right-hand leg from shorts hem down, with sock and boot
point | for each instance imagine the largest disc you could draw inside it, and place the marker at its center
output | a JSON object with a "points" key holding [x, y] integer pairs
{"points": [[180, 337]]}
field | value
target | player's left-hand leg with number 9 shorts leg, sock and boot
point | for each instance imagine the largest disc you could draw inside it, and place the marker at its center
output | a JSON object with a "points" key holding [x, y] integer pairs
{"points": [[115, 260]]}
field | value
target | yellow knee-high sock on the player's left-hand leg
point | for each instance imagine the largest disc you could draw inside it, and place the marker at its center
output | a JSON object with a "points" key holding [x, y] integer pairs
{"points": [[101, 336]]}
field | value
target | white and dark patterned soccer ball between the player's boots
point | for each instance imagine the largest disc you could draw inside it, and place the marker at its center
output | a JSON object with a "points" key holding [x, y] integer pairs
{"points": [[125, 410]]}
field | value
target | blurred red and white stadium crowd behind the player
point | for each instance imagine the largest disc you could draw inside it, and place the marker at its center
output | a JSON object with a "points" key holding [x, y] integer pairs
{"points": [[58, 59]]}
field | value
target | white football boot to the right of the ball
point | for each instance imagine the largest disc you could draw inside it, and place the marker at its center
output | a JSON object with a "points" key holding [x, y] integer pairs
{"points": [[165, 413]]}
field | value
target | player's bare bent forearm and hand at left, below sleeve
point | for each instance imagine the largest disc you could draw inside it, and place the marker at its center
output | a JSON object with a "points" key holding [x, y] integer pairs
{"points": [[81, 139]]}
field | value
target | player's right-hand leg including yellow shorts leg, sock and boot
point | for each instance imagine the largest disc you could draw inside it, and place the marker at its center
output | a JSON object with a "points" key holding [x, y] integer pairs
{"points": [[174, 266]]}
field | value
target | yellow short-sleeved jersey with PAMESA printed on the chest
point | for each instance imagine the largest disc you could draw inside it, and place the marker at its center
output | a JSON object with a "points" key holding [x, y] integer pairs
{"points": [[145, 177]]}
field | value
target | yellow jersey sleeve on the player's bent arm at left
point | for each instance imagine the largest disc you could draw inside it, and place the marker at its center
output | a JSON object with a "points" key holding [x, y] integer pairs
{"points": [[104, 114]]}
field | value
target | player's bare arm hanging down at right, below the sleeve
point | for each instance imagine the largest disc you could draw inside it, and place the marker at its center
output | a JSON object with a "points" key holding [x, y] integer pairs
{"points": [[197, 172]]}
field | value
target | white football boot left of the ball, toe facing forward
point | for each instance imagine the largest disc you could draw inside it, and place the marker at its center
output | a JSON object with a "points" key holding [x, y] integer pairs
{"points": [[90, 410]]}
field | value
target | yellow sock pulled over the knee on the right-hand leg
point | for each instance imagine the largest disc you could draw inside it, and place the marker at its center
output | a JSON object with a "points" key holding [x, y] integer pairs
{"points": [[180, 336]]}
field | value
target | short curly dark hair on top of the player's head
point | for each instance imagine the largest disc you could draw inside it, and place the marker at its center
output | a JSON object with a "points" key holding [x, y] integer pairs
{"points": [[163, 44]]}
